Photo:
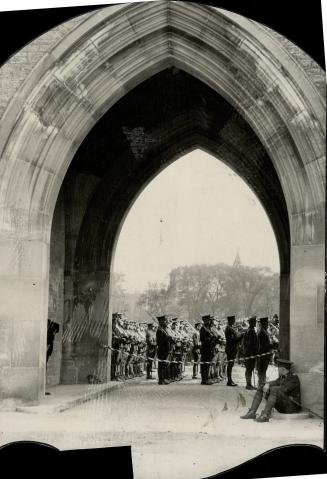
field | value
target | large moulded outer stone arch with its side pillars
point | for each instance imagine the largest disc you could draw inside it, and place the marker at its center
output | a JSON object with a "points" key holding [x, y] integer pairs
{"points": [[83, 76]]}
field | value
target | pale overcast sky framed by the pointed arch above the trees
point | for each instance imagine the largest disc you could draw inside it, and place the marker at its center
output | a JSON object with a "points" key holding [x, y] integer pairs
{"points": [[196, 211]]}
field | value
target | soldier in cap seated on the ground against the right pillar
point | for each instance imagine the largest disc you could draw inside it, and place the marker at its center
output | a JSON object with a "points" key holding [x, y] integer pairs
{"points": [[284, 394]]}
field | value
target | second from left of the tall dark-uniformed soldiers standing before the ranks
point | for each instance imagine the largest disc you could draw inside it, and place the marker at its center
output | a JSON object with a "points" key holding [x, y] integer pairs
{"points": [[208, 342]]}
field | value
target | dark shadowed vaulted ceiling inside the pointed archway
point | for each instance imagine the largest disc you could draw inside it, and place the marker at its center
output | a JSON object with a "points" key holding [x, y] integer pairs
{"points": [[168, 114]]}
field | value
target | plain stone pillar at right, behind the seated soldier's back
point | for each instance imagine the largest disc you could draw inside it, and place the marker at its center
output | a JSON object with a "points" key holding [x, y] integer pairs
{"points": [[307, 321]]}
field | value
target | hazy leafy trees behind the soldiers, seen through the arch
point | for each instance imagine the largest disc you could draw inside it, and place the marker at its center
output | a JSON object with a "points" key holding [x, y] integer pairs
{"points": [[218, 289]]}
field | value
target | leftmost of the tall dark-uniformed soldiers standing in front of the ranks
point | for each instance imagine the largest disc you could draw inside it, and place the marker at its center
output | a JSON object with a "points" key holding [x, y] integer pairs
{"points": [[164, 346]]}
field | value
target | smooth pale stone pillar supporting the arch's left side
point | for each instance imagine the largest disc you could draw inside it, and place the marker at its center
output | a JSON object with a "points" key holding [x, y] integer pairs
{"points": [[24, 283]]}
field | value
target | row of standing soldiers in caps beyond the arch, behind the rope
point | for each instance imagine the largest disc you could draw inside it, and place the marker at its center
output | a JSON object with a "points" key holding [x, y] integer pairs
{"points": [[173, 341]]}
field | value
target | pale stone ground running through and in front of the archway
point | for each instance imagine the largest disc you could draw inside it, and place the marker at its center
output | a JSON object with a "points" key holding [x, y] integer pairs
{"points": [[182, 430]]}
